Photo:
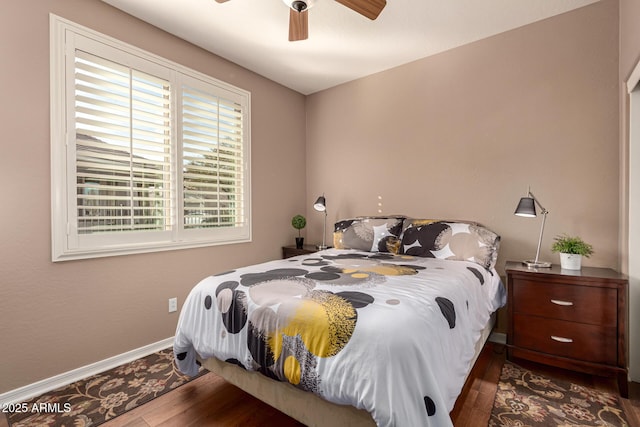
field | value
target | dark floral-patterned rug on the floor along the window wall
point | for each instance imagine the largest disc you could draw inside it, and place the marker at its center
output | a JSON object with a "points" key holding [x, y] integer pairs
{"points": [[102, 397]]}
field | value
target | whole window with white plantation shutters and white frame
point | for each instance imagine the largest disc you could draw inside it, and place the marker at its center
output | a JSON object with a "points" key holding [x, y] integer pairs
{"points": [[146, 155]]}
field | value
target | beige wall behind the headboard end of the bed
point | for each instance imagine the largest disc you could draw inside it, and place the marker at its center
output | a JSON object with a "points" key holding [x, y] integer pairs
{"points": [[463, 133]]}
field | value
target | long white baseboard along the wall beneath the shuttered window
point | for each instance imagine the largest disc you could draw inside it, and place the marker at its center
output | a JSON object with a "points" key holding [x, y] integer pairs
{"points": [[22, 394]]}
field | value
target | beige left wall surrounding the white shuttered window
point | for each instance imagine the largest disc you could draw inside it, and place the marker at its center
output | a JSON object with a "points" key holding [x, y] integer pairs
{"points": [[58, 317]]}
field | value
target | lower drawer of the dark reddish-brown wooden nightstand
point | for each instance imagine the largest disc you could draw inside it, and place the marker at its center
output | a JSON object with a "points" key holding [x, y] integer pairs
{"points": [[581, 341]]}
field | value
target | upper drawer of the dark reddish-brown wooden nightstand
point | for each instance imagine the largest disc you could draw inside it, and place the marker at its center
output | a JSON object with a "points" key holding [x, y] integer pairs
{"points": [[584, 304]]}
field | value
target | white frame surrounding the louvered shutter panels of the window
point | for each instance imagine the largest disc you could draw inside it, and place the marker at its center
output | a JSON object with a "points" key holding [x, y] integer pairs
{"points": [[66, 242]]}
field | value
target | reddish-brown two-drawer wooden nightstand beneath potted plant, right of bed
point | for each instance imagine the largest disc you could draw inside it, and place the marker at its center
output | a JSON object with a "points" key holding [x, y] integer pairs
{"points": [[570, 319]]}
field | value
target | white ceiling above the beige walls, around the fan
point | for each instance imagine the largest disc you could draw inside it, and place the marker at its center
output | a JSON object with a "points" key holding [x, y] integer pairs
{"points": [[342, 44]]}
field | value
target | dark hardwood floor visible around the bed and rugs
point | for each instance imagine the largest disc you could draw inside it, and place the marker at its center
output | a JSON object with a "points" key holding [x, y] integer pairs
{"points": [[210, 401]]}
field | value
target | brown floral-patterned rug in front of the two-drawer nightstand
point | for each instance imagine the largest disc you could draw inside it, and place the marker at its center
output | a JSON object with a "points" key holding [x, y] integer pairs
{"points": [[527, 399]]}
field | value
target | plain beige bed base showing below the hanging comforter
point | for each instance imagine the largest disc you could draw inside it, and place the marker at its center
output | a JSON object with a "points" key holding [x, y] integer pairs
{"points": [[303, 406]]}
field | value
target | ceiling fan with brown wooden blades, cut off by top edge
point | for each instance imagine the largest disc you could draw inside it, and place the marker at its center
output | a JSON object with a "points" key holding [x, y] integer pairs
{"points": [[299, 18]]}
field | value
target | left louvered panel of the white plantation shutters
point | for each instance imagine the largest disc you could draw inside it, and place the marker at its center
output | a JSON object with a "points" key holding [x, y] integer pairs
{"points": [[123, 148]]}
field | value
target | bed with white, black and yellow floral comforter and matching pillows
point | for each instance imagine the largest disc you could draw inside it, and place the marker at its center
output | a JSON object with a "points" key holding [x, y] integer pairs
{"points": [[381, 329]]}
